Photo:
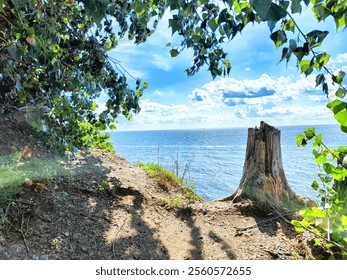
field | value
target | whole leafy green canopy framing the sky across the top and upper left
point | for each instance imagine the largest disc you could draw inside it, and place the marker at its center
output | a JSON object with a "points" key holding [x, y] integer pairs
{"points": [[54, 54]]}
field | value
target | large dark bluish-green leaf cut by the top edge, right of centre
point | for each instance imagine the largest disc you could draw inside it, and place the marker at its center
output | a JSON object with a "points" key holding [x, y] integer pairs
{"points": [[267, 10]]}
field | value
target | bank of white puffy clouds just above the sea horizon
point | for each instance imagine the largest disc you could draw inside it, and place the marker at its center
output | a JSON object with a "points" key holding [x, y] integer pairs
{"points": [[229, 103]]}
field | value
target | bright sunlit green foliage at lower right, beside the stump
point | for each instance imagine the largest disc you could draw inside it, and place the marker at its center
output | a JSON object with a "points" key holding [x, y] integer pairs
{"points": [[329, 220]]}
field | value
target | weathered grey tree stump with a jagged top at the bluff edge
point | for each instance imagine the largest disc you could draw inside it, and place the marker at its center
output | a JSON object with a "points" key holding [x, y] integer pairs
{"points": [[263, 179]]}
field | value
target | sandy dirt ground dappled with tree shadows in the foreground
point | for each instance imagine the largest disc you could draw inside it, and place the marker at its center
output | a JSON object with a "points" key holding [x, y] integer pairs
{"points": [[108, 208]]}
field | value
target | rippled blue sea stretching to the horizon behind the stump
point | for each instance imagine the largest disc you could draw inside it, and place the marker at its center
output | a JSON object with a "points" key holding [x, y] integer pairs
{"points": [[213, 158]]}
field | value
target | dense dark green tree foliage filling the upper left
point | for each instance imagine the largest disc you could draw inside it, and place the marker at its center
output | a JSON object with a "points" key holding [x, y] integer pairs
{"points": [[54, 64]]}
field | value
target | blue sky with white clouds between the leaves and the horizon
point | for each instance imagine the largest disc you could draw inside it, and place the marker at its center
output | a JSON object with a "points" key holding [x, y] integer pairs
{"points": [[258, 87]]}
